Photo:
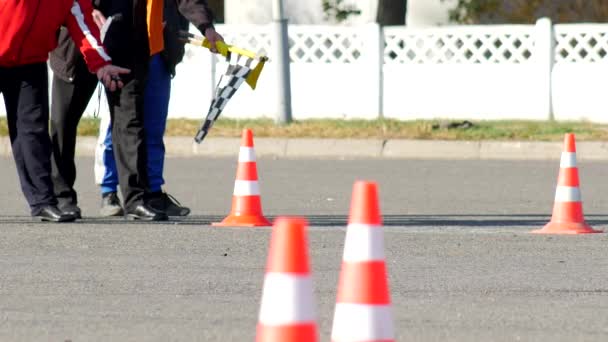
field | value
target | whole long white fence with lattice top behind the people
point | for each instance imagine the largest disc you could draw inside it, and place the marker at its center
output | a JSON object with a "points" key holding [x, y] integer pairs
{"points": [[464, 72]]}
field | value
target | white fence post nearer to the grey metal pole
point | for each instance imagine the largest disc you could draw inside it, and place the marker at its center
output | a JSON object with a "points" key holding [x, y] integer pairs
{"points": [[373, 59]]}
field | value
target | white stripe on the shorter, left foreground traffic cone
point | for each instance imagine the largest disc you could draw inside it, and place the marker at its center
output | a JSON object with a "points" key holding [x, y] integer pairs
{"points": [[286, 299]]}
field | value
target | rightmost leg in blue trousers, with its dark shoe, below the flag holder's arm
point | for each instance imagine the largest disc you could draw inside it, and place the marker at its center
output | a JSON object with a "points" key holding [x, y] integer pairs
{"points": [[156, 110]]}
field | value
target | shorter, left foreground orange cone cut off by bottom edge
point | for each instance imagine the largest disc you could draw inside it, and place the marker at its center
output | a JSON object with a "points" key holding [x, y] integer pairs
{"points": [[287, 310]]}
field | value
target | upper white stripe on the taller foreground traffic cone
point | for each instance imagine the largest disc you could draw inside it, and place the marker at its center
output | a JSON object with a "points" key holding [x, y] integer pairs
{"points": [[363, 243]]}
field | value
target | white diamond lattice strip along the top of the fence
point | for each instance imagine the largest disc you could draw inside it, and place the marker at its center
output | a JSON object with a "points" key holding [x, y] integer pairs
{"points": [[471, 44]]}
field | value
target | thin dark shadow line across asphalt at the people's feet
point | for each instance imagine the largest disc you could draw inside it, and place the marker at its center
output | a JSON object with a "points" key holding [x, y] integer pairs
{"points": [[531, 220]]}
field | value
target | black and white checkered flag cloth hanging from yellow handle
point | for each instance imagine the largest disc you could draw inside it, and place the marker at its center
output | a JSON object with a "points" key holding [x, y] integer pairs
{"points": [[239, 67]]}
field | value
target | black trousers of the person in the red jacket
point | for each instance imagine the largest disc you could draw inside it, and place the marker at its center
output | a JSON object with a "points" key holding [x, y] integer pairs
{"points": [[26, 97]]}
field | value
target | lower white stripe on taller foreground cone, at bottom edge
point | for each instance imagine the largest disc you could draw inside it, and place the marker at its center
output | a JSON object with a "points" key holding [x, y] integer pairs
{"points": [[359, 322]]}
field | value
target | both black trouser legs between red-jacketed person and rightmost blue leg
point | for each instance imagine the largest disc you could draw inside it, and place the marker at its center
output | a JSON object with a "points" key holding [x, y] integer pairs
{"points": [[126, 112]]}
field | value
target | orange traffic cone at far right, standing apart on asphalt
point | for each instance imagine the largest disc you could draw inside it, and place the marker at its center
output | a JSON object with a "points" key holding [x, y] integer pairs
{"points": [[568, 208]]}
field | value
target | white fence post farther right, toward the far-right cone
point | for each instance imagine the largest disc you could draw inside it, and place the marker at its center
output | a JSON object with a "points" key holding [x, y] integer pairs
{"points": [[545, 58]]}
